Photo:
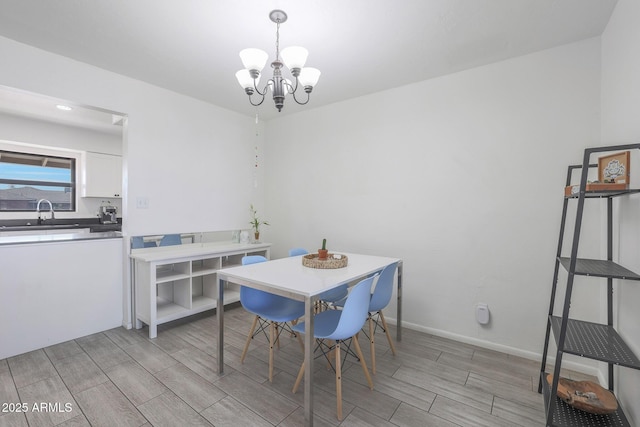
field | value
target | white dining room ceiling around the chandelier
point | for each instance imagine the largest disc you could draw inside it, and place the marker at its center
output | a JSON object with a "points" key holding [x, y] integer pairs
{"points": [[361, 46]]}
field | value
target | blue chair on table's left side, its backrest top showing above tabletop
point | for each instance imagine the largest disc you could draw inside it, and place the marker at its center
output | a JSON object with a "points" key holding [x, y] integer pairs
{"points": [[271, 311]]}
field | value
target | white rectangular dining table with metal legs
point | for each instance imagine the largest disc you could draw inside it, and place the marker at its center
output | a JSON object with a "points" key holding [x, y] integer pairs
{"points": [[289, 278]]}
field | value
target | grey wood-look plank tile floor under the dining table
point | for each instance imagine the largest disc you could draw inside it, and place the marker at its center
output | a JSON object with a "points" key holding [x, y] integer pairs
{"points": [[122, 378]]}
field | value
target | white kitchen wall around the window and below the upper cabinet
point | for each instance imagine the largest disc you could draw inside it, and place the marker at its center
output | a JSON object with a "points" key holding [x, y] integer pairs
{"points": [[37, 132]]}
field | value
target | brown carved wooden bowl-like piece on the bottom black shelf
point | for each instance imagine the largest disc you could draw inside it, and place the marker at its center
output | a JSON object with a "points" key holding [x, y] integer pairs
{"points": [[586, 396]]}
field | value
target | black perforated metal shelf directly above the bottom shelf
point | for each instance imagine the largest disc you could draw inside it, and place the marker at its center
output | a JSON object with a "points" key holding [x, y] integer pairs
{"points": [[595, 341]]}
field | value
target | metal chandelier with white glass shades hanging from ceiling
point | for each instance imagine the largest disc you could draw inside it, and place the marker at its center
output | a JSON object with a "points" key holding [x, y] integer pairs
{"points": [[293, 57]]}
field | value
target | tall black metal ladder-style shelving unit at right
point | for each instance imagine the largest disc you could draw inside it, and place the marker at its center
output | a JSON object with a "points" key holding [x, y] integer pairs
{"points": [[586, 339]]}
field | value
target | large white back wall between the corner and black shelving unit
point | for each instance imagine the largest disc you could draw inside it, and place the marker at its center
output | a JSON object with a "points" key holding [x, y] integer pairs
{"points": [[461, 176]]}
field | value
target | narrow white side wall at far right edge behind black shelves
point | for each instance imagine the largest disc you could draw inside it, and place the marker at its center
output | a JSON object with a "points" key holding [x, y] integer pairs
{"points": [[620, 124]]}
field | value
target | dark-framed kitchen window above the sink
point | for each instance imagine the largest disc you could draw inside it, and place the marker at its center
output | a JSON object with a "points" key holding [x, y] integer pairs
{"points": [[26, 178]]}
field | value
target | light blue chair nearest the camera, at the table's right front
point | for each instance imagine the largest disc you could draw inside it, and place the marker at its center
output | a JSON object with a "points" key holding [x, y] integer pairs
{"points": [[336, 327]]}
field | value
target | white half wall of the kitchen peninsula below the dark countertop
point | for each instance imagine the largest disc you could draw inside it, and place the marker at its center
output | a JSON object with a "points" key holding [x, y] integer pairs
{"points": [[59, 290]]}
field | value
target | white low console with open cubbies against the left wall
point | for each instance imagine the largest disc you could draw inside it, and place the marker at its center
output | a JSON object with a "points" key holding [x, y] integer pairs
{"points": [[172, 282]]}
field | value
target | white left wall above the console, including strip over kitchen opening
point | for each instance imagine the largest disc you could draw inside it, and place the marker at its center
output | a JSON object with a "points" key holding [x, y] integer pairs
{"points": [[192, 160]]}
